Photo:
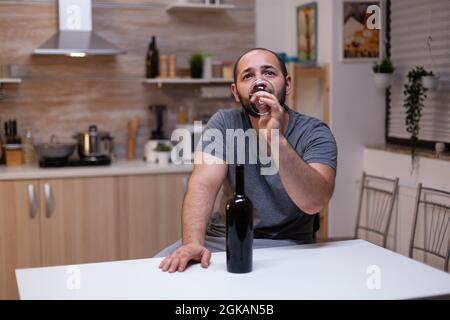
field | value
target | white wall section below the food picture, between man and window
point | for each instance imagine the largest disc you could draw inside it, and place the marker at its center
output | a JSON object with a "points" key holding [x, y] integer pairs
{"points": [[357, 119]]}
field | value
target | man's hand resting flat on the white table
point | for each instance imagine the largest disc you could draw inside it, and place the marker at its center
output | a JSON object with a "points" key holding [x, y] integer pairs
{"points": [[179, 259]]}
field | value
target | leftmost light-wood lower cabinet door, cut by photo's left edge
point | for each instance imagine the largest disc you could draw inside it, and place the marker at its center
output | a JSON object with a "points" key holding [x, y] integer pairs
{"points": [[19, 232]]}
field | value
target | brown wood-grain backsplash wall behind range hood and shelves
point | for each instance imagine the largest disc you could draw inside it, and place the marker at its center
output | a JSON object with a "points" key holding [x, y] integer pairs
{"points": [[62, 95]]}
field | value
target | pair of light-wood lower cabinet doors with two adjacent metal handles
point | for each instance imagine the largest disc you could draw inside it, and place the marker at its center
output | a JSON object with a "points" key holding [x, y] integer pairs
{"points": [[54, 222]]}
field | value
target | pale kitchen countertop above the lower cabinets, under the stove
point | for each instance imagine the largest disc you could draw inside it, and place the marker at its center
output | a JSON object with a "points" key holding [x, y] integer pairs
{"points": [[117, 168]]}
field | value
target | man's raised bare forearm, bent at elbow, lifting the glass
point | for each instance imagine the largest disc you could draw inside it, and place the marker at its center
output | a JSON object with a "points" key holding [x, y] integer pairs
{"points": [[304, 185]]}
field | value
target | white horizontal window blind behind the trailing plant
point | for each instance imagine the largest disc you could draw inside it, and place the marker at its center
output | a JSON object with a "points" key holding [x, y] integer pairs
{"points": [[412, 22]]}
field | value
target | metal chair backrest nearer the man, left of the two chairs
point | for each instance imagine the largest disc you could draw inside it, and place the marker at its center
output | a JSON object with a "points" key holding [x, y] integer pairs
{"points": [[376, 203]]}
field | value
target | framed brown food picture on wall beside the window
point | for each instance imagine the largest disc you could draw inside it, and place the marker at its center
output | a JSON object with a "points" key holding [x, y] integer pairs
{"points": [[362, 31]]}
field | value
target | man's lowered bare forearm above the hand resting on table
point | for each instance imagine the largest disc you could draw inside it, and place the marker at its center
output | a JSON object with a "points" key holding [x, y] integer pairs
{"points": [[197, 207]]}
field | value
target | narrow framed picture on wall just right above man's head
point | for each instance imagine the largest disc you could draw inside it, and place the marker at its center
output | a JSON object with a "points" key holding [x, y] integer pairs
{"points": [[307, 33]]}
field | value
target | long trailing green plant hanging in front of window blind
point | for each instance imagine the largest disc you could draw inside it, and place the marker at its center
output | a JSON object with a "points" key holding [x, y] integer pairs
{"points": [[415, 95]]}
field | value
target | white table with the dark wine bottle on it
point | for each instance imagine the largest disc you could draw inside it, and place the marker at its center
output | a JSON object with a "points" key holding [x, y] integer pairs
{"points": [[352, 269]]}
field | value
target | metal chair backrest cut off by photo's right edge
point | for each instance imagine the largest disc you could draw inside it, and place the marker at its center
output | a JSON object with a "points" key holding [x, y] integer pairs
{"points": [[430, 236]]}
